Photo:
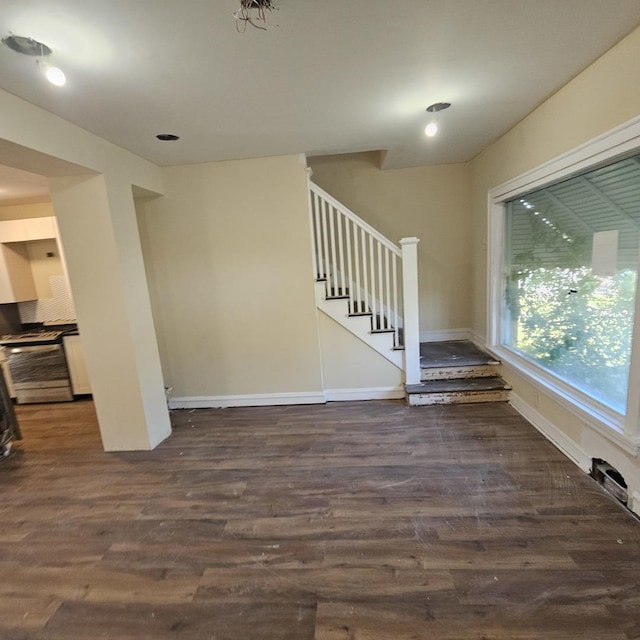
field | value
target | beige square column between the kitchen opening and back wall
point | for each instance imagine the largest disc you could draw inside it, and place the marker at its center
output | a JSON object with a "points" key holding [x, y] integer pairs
{"points": [[99, 233]]}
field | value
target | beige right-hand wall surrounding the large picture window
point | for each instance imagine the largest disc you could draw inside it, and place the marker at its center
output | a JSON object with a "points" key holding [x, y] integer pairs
{"points": [[605, 95]]}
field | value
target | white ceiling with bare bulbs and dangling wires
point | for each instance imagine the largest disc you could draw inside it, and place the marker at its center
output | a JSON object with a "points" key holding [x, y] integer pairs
{"points": [[333, 76]]}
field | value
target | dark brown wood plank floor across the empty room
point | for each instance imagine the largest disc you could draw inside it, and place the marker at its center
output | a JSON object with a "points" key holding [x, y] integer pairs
{"points": [[352, 521]]}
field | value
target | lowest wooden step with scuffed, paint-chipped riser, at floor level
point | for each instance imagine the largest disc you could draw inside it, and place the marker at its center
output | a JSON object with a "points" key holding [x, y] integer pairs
{"points": [[458, 391]]}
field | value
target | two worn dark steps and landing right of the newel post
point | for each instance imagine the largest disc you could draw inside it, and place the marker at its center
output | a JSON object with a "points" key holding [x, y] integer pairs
{"points": [[457, 372]]}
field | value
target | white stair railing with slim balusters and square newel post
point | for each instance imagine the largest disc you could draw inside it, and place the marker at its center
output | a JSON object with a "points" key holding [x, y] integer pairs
{"points": [[359, 264]]}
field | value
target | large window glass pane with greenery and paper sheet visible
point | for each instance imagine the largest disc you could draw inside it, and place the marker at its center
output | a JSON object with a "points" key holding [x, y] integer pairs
{"points": [[570, 258]]}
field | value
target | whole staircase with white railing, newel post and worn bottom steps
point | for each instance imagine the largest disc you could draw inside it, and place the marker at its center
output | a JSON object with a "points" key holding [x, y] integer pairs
{"points": [[369, 285]]}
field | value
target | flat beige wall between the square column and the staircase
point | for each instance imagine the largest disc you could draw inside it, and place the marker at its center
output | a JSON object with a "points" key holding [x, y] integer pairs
{"points": [[228, 252]]}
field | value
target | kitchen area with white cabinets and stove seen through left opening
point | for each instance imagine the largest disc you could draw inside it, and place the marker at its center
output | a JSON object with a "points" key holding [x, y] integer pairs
{"points": [[41, 354]]}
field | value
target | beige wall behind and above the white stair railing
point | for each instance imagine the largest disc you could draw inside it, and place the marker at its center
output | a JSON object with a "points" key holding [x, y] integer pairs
{"points": [[432, 203]]}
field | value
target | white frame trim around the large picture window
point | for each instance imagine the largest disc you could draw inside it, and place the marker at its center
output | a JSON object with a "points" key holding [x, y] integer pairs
{"points": [[621, 141]]}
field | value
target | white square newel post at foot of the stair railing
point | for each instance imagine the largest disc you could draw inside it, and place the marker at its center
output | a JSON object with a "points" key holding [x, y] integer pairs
{"points": [[411, 309]]}
